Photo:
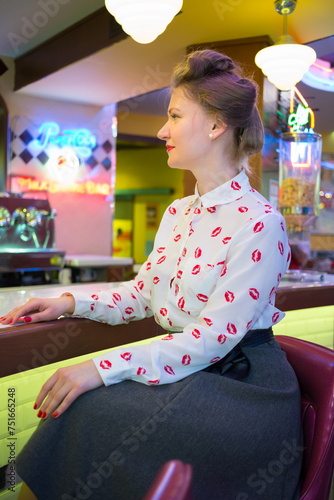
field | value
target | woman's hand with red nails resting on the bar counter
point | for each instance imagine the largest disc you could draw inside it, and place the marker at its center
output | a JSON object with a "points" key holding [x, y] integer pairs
{"points": [[40, 310]]}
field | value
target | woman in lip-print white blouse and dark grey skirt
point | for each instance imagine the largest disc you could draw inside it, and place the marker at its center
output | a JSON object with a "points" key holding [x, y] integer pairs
{"points": [[216, 391]]}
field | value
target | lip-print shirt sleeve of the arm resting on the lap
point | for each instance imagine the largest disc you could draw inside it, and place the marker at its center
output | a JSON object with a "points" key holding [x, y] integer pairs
{"points": [[245, 289]]}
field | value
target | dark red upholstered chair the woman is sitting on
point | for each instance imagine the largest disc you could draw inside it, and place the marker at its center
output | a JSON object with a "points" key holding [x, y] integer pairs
{"points": [[314, 367]]}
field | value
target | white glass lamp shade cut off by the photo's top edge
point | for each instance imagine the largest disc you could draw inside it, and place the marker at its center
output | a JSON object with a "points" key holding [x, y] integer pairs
{"points": [[143, 20]]}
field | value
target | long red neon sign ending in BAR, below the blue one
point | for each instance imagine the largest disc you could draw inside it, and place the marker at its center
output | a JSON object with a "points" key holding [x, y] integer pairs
{"points": [[89, 187]]}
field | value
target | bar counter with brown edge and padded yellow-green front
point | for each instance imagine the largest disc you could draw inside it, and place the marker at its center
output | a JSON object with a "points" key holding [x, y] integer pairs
{"points": [[30, 354]]}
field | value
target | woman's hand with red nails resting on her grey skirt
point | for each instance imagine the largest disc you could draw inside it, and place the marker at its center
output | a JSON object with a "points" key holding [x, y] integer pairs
{"points": [[64, 386]]}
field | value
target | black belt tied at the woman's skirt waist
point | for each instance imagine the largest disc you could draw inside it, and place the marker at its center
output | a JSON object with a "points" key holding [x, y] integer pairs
{"points": [[235, 364]]}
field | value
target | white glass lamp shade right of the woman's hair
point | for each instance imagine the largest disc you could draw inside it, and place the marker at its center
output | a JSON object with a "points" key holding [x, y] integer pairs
{"points": [[285, 64]]}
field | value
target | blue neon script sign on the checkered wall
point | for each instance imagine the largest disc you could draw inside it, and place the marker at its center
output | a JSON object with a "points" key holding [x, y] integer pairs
{"points": [[82, 141]]}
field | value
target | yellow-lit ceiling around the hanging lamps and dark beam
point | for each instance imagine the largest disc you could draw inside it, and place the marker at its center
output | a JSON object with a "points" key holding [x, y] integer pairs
{"points": [[128, 69]]}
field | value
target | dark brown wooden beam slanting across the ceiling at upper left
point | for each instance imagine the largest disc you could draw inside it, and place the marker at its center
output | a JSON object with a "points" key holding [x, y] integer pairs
{"points": [[93, 33]]}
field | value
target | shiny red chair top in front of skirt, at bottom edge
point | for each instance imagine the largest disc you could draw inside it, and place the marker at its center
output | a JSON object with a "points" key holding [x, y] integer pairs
{"points": [[173, 482]]}
